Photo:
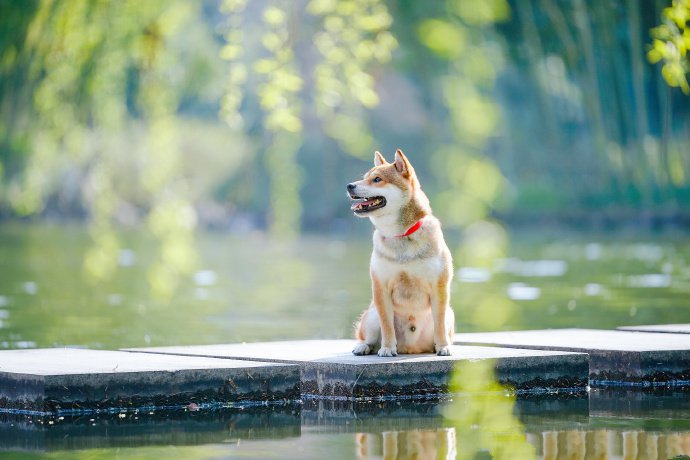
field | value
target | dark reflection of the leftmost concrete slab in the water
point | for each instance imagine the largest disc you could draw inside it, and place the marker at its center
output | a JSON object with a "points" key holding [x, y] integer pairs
{"points": [[141, 428]]}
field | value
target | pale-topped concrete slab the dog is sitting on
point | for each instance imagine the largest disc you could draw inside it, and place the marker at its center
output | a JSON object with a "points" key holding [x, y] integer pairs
{"points": [[330, 370]]}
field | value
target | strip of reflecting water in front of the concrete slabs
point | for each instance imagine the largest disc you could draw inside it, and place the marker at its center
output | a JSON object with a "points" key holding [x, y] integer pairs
{"points": [[488, 425]]}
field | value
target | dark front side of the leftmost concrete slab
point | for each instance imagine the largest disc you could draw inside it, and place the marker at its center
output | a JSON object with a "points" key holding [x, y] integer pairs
{"points": [[162, 390]]}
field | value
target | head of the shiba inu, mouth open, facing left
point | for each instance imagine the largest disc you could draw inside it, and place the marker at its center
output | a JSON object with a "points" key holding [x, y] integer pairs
{"points": [[385, 189]]}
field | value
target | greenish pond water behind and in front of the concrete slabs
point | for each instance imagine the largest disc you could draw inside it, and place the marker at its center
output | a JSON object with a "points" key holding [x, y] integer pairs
{"points": [[248, 288]]}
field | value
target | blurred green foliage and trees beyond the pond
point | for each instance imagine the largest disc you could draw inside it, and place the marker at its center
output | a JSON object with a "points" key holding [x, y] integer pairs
{"points": [[231, 113]]}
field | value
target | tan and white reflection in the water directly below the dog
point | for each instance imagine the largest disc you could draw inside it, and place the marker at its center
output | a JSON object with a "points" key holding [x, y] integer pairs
{"points": [[439, 444]]}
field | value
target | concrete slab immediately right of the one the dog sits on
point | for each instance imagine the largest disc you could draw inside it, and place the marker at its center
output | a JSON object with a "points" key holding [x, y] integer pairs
{"points": [[617, 358]]}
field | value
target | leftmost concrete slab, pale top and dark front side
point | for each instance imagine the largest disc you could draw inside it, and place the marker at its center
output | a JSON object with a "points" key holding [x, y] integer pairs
{"points": [[76, 380]]}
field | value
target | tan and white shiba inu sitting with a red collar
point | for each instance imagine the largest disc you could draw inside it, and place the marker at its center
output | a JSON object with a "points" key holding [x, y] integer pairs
{"points": [[411, 266]]}
